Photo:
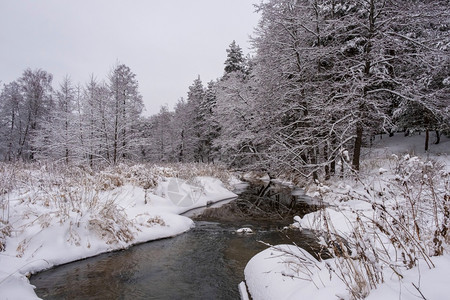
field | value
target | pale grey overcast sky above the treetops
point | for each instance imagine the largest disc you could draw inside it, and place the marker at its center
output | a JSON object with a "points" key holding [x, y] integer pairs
{"points": [[166, 43]]}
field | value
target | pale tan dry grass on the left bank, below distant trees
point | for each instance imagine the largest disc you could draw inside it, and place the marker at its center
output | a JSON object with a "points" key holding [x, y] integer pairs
{"points": [[69, 193]]}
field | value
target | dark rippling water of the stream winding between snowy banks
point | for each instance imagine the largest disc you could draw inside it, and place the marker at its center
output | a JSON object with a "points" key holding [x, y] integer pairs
{"points": [[205, 263]]}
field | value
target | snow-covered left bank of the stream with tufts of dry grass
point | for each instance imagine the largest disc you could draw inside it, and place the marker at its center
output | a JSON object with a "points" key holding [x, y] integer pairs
{"points": [[50, 224]]}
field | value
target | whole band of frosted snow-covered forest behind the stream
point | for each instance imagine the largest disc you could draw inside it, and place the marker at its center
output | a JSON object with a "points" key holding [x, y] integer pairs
{"points": [[325, 77]]}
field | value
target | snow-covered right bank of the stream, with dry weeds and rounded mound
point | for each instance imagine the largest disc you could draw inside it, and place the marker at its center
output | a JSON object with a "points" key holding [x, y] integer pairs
{"points": [[386, 228]]}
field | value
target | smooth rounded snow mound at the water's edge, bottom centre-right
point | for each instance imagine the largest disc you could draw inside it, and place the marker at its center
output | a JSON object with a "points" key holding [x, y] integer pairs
{"points": [[288, 272]]}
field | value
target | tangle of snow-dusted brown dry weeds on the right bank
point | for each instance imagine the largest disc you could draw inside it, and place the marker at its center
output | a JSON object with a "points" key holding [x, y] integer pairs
{"points": [[407, 221]]}
